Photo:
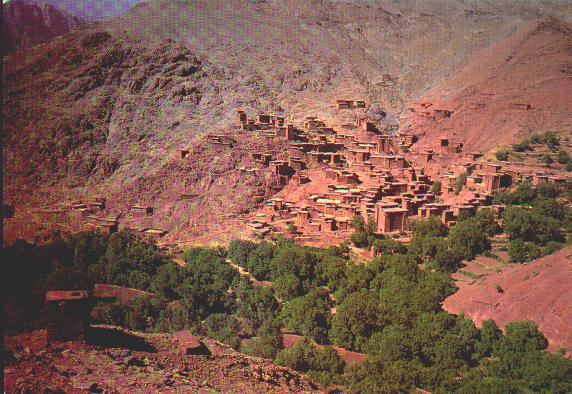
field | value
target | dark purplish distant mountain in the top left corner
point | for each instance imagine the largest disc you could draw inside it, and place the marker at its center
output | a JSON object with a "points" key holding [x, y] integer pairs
{"points": [[26, 23]]}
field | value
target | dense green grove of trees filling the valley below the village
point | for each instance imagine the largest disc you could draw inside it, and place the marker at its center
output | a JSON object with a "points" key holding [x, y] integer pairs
{"points": [[389, 308]]}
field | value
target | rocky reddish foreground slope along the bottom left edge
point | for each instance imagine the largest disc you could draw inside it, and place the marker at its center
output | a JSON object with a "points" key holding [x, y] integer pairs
{"points": [[77, 367]]}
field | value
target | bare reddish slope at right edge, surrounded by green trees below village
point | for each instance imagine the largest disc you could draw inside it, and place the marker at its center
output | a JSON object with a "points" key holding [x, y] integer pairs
{"points": [[539, 291]]}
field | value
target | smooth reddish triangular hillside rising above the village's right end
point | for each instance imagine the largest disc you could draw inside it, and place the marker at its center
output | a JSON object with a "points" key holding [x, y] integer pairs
{"points": [[517, 87]]}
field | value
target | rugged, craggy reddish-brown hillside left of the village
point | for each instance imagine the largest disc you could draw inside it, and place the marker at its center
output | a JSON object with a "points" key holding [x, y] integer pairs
{"points": [[106, 118]]}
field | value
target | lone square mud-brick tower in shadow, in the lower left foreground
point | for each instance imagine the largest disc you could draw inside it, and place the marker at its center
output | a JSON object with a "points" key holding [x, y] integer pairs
{"points": [[67, 315]]}
